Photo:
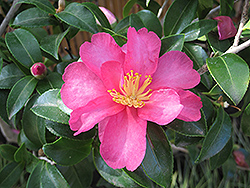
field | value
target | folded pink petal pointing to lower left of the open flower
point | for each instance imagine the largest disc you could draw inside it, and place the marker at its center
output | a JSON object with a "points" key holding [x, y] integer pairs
{"points": [[85, 118]]}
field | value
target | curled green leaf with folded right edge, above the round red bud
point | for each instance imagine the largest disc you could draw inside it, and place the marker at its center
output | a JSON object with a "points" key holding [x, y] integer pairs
{"points": [[51, 43]]}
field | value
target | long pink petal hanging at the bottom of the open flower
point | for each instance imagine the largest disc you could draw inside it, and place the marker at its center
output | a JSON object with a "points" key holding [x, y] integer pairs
{"points": [[124, 140]]}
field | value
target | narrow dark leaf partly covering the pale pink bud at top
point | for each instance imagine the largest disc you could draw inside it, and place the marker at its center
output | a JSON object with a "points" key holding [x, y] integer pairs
{"points": [[98, 13]]}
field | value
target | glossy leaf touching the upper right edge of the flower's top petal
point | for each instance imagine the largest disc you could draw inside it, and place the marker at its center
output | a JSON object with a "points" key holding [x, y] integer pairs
{"points": [[150, 21]]}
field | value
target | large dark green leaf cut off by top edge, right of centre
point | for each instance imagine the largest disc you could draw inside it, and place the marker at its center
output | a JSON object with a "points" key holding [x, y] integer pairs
{"points": [[179, 15]]}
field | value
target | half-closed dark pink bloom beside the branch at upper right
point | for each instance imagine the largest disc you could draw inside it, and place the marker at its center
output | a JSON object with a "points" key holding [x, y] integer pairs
{"points": [[225, 27]]}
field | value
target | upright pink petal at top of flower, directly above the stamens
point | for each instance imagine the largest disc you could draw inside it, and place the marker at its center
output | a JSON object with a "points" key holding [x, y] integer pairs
{"points": [[143, 49]]}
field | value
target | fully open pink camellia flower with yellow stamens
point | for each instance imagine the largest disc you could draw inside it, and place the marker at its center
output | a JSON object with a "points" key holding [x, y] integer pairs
{"points": [[122, 88]]}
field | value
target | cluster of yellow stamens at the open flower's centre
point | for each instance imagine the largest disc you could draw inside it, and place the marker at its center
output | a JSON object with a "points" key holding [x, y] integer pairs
{"points": [[131, 94]]}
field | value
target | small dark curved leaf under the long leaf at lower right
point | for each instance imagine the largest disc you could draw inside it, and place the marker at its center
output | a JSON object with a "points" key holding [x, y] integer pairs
{"points": [[217, 160]]}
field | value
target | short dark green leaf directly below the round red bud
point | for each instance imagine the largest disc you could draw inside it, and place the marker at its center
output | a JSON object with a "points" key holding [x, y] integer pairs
{"points": [[51, 81]]}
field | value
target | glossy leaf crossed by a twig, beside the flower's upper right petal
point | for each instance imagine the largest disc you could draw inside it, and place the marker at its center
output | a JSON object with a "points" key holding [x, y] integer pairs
{"points": [[198, 55]]}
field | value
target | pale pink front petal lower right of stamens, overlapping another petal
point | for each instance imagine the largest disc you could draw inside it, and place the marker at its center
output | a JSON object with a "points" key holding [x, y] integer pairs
{"points": [[164, 106]]}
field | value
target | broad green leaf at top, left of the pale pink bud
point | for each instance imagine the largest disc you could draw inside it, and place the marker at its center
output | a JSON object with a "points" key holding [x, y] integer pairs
{"points": [[77, 15]]}
